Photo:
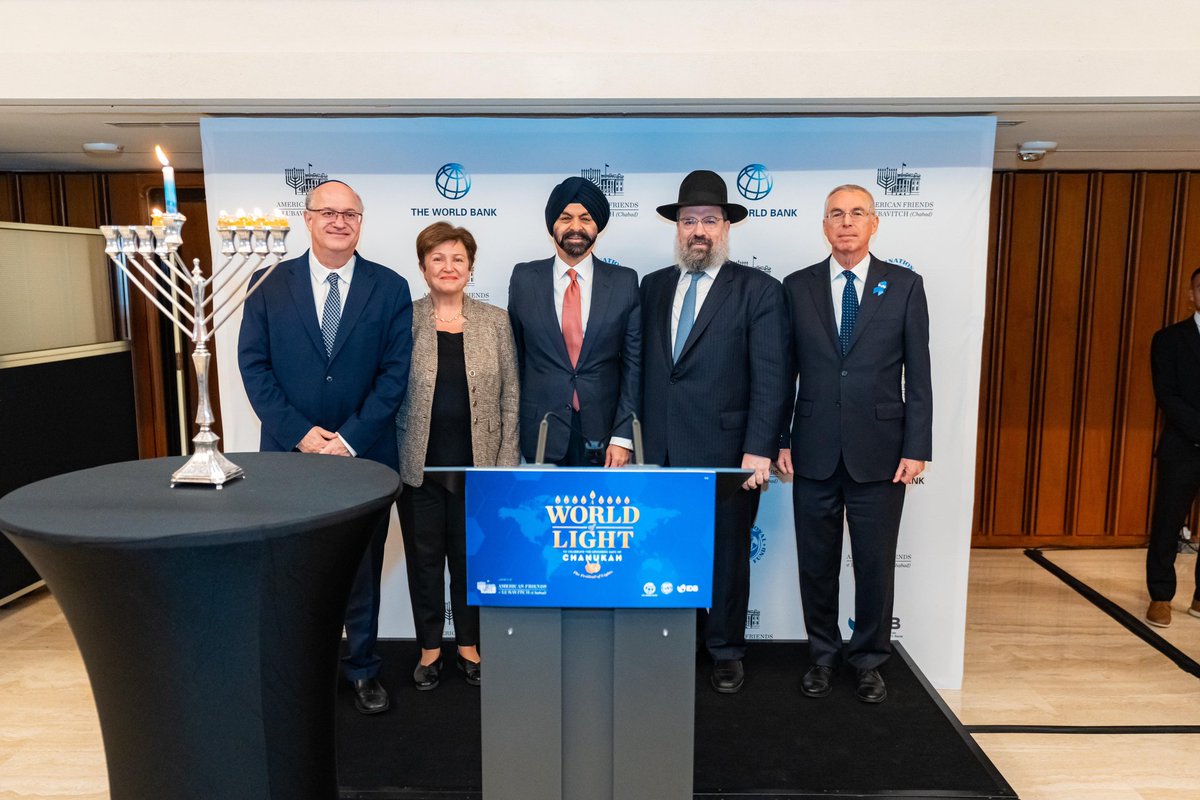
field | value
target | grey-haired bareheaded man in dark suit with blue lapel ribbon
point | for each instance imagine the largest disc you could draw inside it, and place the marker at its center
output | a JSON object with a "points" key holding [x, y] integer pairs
{"points": [[862, 430]]}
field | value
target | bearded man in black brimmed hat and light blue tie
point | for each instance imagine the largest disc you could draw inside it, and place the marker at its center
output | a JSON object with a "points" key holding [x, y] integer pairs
{"points": [[717, 389]]}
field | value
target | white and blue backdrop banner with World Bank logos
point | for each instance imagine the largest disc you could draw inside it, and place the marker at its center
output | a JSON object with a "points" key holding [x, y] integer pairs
{"points": [[932, 179]]}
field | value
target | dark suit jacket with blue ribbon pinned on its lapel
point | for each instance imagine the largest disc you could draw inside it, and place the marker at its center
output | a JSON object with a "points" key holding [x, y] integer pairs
{"points": [[875, 406]]}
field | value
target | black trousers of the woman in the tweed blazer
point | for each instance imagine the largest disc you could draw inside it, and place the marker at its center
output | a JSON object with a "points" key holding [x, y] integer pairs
{"points": [[434, 526]]}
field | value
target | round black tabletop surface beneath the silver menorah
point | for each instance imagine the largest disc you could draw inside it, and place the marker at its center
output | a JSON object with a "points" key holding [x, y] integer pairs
{"points": [[133, 502]]}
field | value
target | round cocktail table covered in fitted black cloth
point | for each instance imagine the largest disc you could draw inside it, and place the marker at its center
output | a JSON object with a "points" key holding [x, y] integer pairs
{"points": [[209, 621]]}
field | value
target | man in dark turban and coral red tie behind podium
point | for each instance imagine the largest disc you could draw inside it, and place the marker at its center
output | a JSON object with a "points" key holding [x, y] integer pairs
{"points": [[579, 334]]}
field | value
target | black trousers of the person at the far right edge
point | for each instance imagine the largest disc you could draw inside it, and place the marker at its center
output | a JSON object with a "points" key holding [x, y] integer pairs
{"points": [[1179, 482]]}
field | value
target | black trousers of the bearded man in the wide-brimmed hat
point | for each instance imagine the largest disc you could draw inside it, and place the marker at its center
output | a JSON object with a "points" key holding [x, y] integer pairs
{"points": [[724, 627]]}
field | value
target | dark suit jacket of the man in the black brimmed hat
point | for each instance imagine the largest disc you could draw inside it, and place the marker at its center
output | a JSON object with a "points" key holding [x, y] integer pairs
{"points": [[729, 393]]}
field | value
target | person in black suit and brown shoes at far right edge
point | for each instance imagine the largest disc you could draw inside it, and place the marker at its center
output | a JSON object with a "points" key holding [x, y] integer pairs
{"points": [[1175, 369]]}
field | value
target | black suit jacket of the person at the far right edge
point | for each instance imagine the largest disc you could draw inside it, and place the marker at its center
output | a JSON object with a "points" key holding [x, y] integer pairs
{"points": [[1175, 370]]}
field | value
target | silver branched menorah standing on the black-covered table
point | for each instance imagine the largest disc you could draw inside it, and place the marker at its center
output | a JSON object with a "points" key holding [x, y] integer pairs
{"points": [[248, 245]]}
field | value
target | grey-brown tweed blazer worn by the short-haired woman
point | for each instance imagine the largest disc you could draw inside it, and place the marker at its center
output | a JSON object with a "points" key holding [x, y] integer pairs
{"points": [[491, 380]]}
